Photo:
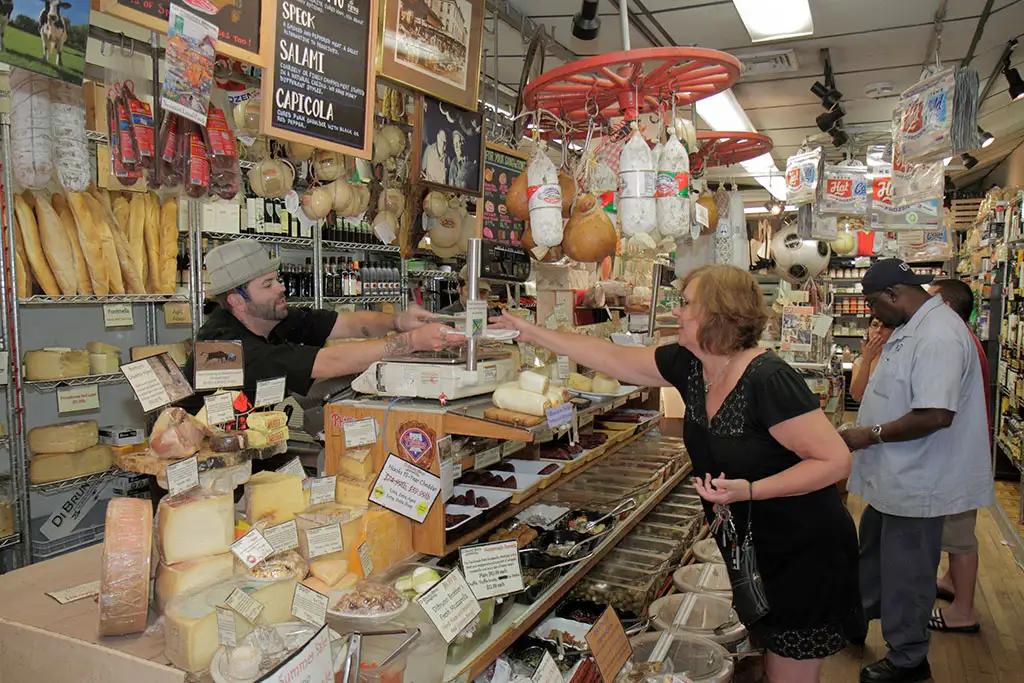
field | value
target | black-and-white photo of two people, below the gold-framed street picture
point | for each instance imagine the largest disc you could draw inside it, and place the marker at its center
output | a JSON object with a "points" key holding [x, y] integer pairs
{"points": [[449, 147]]}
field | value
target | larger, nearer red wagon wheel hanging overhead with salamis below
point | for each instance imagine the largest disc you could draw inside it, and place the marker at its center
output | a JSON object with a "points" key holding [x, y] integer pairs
{"points": [[630, 83]]}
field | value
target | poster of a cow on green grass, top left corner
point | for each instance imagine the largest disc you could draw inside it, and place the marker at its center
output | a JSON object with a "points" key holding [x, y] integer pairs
{"points": [[46, 36]]}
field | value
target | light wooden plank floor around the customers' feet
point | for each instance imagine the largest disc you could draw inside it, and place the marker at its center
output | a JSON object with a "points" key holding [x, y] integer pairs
{"points": [[995, 656]]}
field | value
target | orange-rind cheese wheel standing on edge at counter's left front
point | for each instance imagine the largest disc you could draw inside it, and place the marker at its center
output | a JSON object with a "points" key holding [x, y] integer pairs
{"points": [[124, 582]]}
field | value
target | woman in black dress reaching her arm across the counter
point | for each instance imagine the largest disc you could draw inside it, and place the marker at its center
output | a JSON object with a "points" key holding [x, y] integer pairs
{"points": [[753, 426]]}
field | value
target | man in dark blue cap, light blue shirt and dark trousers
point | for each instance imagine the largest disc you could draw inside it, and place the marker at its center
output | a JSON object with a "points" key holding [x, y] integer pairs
{"points": [[922, 454]]}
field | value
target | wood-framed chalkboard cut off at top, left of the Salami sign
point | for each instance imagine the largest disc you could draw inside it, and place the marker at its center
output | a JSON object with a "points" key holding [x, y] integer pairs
{"points": [[238, 22]]}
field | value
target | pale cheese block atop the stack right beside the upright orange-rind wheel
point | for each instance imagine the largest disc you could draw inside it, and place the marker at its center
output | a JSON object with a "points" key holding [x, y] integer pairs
{"points": [[194, 525]]}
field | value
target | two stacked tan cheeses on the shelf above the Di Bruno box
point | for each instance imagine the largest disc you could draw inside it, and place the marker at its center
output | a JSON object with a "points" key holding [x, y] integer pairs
{"points": [[63, 452]]}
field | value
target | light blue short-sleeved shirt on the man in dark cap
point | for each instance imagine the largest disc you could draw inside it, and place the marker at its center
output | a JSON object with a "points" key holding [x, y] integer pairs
{"points": [[930, 362]]}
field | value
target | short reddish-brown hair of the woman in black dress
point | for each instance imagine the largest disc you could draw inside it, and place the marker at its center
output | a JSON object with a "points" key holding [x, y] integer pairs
{"points": [[731, 309]]}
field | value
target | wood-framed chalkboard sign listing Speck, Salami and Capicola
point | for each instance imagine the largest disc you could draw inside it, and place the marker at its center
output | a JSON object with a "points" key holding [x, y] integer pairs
{"points": [[319, 88]]}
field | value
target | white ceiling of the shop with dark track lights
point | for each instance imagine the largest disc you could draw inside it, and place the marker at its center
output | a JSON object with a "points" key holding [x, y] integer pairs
{"points": [[869, 42]]}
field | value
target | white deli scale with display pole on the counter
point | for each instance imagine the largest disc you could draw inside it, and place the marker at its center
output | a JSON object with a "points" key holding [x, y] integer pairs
{"points": [[480, 367]]}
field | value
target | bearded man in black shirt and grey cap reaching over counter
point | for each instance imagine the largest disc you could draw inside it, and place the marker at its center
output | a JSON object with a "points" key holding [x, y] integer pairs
{"points": [[283, 341]]}
